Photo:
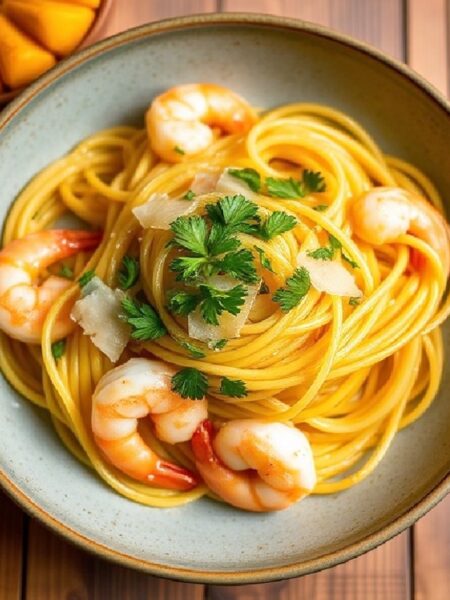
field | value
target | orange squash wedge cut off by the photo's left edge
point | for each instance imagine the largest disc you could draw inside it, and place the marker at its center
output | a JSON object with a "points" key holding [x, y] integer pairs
{"points": [[21, 59]]}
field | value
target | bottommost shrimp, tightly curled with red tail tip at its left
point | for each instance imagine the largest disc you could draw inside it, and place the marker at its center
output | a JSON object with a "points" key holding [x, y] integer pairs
{"points": [[255, 465]]}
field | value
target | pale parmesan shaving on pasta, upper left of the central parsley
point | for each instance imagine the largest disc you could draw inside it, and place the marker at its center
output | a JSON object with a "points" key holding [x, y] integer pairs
{"points": [[160, 211]]}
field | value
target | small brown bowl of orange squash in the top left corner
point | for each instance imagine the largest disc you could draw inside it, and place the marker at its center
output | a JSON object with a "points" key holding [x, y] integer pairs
{"points": [[36, 34]]}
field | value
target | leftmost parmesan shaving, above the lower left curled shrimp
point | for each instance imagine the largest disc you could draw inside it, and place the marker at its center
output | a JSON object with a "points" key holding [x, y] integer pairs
{"points": [[98, 314]]}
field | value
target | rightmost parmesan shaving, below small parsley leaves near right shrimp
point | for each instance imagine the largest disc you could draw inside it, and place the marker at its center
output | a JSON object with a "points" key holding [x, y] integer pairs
{"points": [[329, 276]]}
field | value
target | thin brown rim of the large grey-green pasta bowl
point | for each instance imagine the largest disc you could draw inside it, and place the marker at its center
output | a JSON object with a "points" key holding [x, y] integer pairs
{"points": [[439, 491]]}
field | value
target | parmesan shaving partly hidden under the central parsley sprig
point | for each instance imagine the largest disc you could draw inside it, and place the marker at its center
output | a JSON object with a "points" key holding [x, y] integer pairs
{"points": [[229, 325]]}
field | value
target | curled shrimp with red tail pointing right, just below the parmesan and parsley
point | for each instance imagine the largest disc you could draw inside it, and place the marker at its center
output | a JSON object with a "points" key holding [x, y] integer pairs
{"points": [[139, 388]]}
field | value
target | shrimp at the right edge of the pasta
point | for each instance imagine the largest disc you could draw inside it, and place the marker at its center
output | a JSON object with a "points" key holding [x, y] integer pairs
{"points": [[383, 214]]}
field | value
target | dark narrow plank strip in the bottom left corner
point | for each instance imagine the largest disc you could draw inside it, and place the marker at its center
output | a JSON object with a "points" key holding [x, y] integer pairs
{"points": [[11, 533]]}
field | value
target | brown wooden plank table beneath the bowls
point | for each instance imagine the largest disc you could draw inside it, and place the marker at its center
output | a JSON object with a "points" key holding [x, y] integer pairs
{"points": [[37, 565]]}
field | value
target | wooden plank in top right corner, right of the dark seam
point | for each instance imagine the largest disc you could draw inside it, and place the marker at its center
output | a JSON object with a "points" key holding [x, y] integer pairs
{"points": [[427, 40]]}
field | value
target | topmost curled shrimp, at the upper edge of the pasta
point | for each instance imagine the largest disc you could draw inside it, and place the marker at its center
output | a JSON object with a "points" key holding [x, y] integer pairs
{"points": [[180, 121]]}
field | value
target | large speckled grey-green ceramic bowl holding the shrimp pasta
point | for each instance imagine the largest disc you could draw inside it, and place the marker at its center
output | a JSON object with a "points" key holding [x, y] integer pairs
{"points": [[269, 61]]}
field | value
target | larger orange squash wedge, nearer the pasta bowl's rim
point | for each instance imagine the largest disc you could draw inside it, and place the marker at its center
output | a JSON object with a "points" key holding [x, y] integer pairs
{"points": [[58, 26]]}
